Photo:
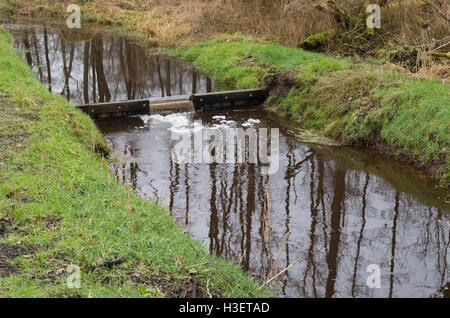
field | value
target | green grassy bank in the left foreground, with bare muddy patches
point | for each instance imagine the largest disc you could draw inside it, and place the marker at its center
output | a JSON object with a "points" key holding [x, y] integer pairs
{"points": [[59, 206]]}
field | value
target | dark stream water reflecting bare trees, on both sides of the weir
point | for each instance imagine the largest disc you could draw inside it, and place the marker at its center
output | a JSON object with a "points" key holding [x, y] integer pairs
{"points": [[345, 209]]}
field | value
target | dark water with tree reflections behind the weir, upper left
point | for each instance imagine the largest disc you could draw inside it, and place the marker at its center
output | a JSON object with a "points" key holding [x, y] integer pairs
{"points": [[101, 67]]}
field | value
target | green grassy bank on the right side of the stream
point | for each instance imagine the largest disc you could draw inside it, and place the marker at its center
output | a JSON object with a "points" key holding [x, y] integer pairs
{"points": [[353, 101]]}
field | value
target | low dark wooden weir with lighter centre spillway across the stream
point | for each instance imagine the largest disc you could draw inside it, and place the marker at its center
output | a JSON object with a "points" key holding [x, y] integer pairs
{"points": [[180, 103]]}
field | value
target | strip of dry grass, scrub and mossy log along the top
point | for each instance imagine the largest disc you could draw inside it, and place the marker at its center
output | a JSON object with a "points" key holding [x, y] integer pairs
{"points": [[337, 27]]}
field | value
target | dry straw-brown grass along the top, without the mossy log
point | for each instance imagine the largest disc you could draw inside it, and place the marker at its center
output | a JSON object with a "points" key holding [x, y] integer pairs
{"points": [[182, 22]]}
